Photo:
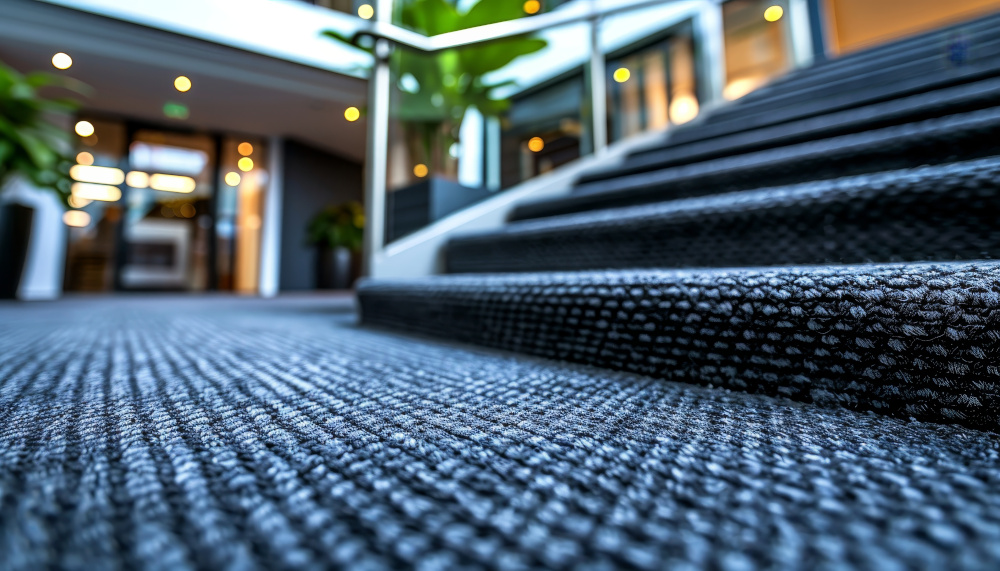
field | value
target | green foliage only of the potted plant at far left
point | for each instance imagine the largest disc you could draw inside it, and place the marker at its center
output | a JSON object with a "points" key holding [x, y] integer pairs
{"points": [[30, 144]]}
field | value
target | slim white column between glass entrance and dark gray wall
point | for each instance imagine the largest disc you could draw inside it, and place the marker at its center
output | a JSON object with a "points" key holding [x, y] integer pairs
{"points": [[270, 239]]}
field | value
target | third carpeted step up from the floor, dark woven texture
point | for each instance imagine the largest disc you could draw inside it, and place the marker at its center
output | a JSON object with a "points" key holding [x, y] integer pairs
{"points": [[933, 141]]}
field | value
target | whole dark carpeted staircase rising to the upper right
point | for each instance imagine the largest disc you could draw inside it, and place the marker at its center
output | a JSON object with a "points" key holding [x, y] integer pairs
{"points": [[828, 239]]}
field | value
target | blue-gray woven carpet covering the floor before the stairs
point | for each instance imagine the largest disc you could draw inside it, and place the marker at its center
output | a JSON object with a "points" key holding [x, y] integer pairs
{"points": [[169, 432]]}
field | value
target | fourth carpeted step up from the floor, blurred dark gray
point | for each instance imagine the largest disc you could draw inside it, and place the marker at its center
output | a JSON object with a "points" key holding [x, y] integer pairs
{"points": [[960, 99]]}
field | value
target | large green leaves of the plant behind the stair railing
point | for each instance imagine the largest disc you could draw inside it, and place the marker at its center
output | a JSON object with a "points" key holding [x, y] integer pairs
{"points": [[436, 90]]}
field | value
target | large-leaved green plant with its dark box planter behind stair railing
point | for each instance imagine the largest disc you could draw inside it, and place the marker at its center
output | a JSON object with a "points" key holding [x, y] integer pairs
{"points": [[435, 92]]}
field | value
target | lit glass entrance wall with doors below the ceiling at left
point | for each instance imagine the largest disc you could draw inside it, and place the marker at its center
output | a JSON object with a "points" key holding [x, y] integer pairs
{"points": [[164, 210]]}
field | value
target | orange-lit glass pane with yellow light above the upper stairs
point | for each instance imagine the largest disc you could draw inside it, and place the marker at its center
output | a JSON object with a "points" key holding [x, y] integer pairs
{"points": [[757, 41]]}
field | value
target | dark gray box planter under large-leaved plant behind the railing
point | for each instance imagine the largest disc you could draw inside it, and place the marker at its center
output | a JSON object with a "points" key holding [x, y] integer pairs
{"points": [[412, 207]]}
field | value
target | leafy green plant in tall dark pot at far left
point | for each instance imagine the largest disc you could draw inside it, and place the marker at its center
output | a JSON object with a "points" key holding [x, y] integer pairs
{"points": [[29, 149]]}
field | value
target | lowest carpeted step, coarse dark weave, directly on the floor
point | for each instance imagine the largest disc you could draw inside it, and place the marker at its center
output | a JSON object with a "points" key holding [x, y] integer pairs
{"points": [[908, 340]]}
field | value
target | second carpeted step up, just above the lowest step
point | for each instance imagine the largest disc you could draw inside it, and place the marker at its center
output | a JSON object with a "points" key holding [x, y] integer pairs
{"points": [[932, 213]]}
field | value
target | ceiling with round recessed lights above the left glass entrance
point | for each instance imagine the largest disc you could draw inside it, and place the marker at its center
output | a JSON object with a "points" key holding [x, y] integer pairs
{"points": [[132, 68]]}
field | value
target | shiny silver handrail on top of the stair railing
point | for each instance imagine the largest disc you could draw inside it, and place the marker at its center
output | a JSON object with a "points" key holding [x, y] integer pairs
{"points": [[578, 12]]}
